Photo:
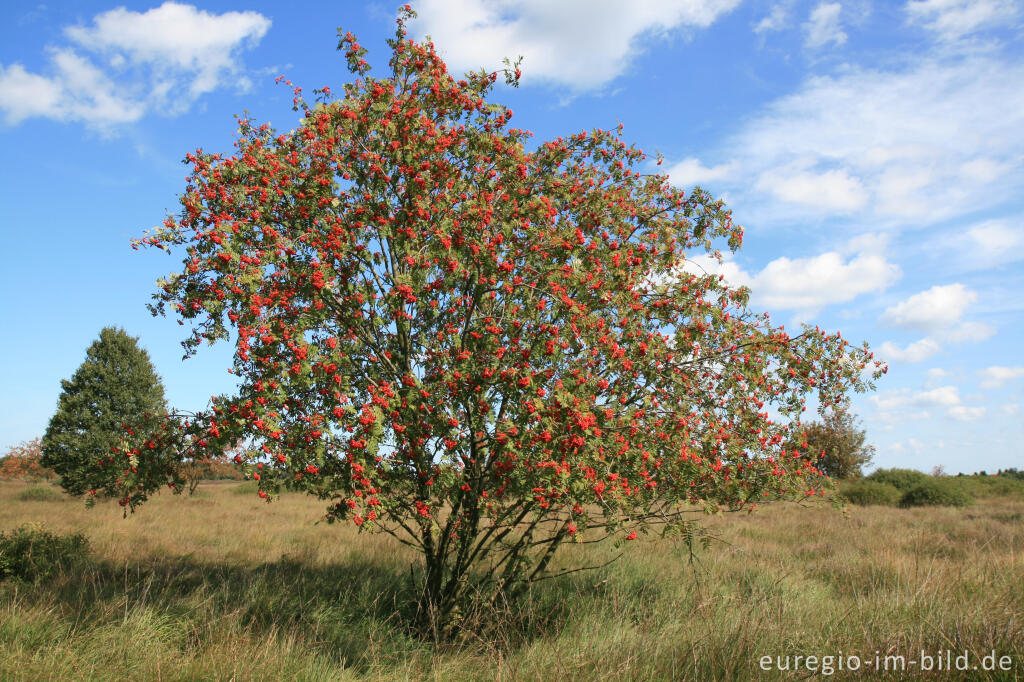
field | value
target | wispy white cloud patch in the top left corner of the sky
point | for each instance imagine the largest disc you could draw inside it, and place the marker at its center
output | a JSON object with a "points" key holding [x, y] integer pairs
{"points": [[126, 64]]}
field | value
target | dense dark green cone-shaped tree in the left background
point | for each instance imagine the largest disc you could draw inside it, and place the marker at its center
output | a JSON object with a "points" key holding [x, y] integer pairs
{"points": [[113, 404]]}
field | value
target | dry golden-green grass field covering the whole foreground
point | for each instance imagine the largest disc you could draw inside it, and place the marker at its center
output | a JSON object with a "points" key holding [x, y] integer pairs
{"points": [[224, 586]]}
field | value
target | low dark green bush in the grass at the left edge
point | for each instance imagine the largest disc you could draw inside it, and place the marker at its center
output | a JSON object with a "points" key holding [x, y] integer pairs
{"points": [[33, 555]]}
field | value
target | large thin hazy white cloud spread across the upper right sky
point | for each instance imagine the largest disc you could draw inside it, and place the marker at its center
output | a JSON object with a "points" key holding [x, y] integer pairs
{"points": [[907, 147]]}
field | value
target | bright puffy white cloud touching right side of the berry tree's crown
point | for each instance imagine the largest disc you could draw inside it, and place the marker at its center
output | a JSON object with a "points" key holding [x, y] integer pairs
{"points": [[809, 284]]}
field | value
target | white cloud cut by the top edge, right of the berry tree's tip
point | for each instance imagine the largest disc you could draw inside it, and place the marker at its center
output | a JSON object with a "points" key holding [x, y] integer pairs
{"points": [[583, 45]]}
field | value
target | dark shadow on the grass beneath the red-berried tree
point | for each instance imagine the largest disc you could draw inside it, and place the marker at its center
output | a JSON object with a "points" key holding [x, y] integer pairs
{"points": [[356, 611]]}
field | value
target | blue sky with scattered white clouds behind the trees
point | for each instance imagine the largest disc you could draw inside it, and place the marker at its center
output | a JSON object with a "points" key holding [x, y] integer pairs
{"points": [[875, 153]]}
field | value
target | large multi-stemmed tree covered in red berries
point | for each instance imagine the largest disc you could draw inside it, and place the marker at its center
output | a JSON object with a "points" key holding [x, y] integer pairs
{"points": [[486, 348]]}
